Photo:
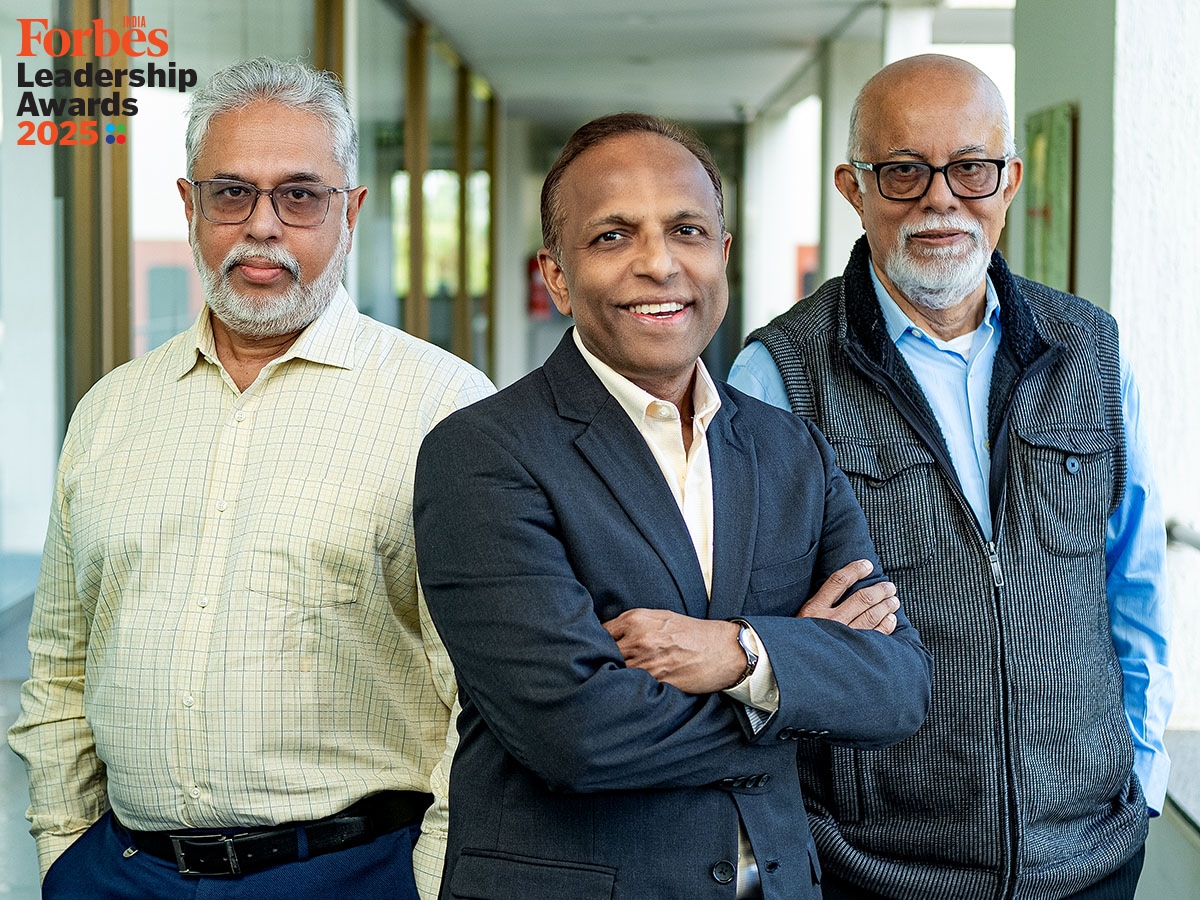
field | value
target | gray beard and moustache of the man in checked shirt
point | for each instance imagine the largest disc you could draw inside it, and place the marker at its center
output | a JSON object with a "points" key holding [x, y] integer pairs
{"points": [[272, 317]]}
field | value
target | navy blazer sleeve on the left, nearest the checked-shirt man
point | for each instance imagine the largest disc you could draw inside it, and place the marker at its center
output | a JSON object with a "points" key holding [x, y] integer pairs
{"points": [[529, 650]]}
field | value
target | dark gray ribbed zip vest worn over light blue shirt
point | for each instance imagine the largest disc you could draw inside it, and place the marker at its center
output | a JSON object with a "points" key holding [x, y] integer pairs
{"points": [[1021, 783]]}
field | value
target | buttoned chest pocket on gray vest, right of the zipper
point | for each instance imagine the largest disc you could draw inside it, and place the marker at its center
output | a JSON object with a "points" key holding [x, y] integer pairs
{"points": [[1065, 479]]}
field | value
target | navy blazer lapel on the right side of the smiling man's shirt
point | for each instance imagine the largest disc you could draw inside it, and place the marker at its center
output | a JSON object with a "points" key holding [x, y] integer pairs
{"points": [[735, 512]]}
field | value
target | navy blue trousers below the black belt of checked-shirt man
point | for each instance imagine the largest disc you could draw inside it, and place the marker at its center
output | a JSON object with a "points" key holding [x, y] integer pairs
{"points": [[97, 868]]}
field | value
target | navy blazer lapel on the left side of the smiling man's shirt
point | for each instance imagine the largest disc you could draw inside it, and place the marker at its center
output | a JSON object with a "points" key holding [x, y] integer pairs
{"points": [[619, 454]]}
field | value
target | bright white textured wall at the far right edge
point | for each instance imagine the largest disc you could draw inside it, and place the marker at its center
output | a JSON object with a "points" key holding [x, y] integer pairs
{"points": [[1156, 274]]}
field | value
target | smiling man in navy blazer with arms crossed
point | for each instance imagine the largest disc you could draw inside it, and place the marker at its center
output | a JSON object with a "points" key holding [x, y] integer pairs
{"points": [[617, 553]]}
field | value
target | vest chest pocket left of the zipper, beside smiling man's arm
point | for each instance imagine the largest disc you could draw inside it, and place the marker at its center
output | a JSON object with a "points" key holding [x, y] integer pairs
{"points": [[895, 485]]}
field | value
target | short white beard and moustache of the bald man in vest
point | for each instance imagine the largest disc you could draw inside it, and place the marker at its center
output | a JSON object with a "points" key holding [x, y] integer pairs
{"points": [[941, 278]]}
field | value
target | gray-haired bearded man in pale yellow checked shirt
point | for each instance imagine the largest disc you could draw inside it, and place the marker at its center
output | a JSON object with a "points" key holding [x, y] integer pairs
{"points": [[235, 687]]}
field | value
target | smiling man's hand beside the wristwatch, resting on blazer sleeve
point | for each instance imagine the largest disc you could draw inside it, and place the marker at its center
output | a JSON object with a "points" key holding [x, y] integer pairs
{"points": [[695, 656]]}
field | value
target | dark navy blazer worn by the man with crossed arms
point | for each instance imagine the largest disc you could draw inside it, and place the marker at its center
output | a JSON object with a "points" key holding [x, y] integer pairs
{"points": [[541, 513]]}
